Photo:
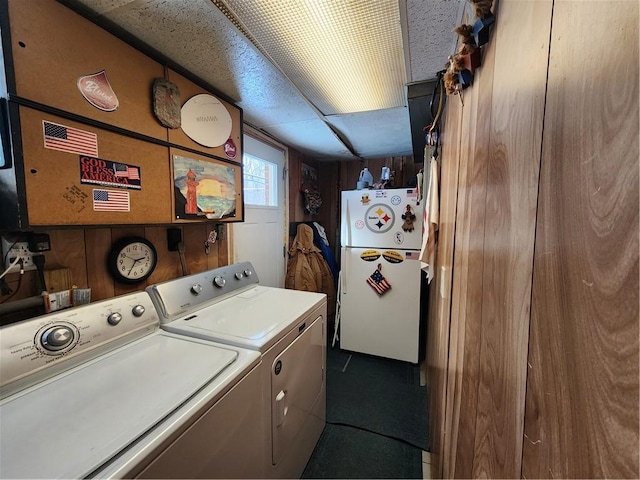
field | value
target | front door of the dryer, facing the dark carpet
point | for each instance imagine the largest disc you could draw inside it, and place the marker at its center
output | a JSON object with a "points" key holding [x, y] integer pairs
{"points": [[296, 385]]}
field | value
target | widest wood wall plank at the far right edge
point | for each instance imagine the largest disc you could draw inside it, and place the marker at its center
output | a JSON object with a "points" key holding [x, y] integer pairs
{"points": [[582, 391]]}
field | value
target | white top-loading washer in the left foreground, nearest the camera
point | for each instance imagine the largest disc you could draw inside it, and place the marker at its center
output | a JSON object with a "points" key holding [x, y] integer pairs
{"points": [[101, 391]]}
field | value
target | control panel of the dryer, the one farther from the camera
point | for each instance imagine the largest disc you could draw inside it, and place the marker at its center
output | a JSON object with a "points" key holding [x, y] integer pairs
{"points": [[182, 295]]}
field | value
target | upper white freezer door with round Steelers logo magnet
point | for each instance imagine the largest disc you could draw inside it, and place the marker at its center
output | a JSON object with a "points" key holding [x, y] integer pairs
{"points": [[373, 218]]}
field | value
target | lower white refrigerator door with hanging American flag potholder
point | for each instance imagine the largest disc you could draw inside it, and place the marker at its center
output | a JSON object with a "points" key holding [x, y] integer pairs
{"points": [[385, 325]]}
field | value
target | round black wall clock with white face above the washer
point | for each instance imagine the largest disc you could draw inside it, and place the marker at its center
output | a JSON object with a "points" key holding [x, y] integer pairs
{"points": [[132, 259]]}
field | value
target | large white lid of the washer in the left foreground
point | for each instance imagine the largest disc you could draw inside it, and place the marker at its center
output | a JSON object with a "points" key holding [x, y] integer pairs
{"points": [[72, 424]]}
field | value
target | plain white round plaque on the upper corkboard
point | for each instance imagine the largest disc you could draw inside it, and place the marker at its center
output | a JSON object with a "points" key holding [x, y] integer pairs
{"points": [[205, 120]]}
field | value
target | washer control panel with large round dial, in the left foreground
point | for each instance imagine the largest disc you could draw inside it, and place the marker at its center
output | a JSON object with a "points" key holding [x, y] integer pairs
{"points": [[37, 344]]}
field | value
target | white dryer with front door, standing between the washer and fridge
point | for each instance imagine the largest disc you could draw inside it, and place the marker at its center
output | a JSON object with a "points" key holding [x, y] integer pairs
{"points": [[287, 327]]}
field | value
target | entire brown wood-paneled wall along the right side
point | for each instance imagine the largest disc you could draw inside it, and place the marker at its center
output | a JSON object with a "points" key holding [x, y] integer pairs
{"points": [[540, 352]]}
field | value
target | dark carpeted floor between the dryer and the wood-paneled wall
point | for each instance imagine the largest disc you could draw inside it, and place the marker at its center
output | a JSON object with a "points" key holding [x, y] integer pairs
{"points": [[376, 419]]}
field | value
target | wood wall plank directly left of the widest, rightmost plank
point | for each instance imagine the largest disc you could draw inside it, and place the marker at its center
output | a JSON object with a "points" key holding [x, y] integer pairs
{"points": [[517, 110]]}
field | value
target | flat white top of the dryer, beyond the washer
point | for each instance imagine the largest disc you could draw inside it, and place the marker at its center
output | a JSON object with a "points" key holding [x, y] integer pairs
{"points": [[255, 318]]}
